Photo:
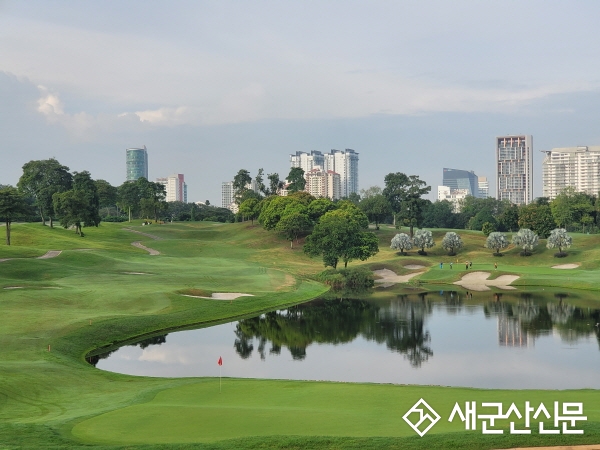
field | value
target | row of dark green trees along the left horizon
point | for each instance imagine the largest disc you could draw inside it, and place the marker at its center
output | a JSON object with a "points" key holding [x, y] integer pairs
{"points": [[49, 191]]}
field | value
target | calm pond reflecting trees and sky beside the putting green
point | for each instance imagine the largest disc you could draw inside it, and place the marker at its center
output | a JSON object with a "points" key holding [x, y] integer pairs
{"points": [[509, 341]]}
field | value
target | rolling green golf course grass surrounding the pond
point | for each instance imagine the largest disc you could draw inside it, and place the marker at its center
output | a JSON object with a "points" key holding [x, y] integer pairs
{"points": [[123, 282]]}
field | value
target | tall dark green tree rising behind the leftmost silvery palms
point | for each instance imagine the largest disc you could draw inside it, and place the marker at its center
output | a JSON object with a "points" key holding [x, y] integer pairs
{"points": [[404, 195]]}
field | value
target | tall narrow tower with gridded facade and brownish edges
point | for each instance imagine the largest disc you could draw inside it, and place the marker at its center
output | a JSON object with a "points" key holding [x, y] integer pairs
{"points": [[514, 169]]}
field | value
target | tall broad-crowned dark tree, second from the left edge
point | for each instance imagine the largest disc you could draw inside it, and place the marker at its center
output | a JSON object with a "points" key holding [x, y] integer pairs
{"points": [[41, 180]]}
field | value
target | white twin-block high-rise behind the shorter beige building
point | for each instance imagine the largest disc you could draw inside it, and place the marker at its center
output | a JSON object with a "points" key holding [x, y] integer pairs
{"points": [[343, 162]]}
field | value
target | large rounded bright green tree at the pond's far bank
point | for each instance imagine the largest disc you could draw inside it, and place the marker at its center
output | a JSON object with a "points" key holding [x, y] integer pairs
{"points": [[340, 235]]}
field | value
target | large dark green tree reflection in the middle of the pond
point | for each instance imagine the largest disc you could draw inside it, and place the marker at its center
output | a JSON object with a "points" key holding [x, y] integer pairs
{"points": [[400, 327]]}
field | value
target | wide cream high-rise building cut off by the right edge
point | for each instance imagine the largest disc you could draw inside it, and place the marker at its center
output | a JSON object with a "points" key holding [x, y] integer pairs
{"points": [[577, 167]]}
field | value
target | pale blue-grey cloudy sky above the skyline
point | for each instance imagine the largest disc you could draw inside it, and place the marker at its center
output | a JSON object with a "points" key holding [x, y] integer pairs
{"points": [[212, 87]]}
